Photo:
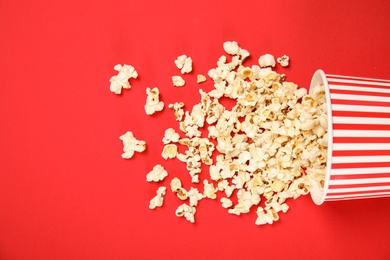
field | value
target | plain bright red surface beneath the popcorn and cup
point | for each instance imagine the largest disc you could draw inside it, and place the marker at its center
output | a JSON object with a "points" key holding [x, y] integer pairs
{"points": [[65, 191]]}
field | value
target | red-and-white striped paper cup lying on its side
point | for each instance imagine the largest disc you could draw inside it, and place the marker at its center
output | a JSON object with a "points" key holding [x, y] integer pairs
{"points": [[358, 162]]}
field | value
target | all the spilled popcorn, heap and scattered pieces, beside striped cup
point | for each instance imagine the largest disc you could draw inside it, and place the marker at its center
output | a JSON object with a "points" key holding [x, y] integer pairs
{"points": [[269, 147]]}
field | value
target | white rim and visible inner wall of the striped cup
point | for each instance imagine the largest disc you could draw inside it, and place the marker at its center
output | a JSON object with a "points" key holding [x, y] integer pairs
{"points": [[317, 192]]}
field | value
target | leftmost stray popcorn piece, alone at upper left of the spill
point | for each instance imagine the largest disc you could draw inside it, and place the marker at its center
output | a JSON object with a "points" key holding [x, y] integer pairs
{"points": [[121, 80]]}
